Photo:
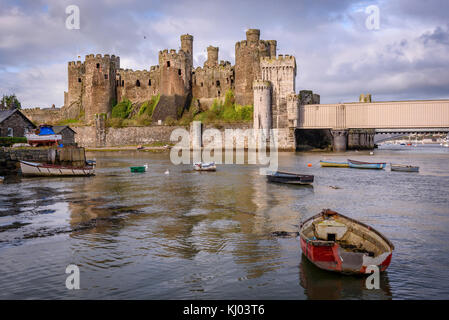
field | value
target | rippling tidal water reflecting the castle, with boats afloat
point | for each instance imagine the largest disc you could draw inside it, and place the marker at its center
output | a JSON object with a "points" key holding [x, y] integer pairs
{"points": [[192, 235]]}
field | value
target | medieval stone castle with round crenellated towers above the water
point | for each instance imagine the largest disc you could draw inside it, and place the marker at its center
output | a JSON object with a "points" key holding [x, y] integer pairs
{"points": [[259, 77]]}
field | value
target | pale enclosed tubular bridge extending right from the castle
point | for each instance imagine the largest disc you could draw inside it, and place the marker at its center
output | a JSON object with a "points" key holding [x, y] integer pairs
{"points": [[350, 122]]}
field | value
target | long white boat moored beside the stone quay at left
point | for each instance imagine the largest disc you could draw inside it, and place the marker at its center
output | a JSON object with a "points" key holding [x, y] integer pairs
{"points": [[46, 170]]}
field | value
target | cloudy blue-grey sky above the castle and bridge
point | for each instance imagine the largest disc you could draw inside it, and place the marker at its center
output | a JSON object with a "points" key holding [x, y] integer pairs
{"points": [[339, 54]]}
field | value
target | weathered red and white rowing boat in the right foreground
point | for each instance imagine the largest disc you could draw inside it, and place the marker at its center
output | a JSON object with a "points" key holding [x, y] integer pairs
{"points": [[334, 242]]}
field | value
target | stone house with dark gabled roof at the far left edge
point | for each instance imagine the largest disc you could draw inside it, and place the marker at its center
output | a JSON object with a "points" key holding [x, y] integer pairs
{"points": [[14, 123]]}
